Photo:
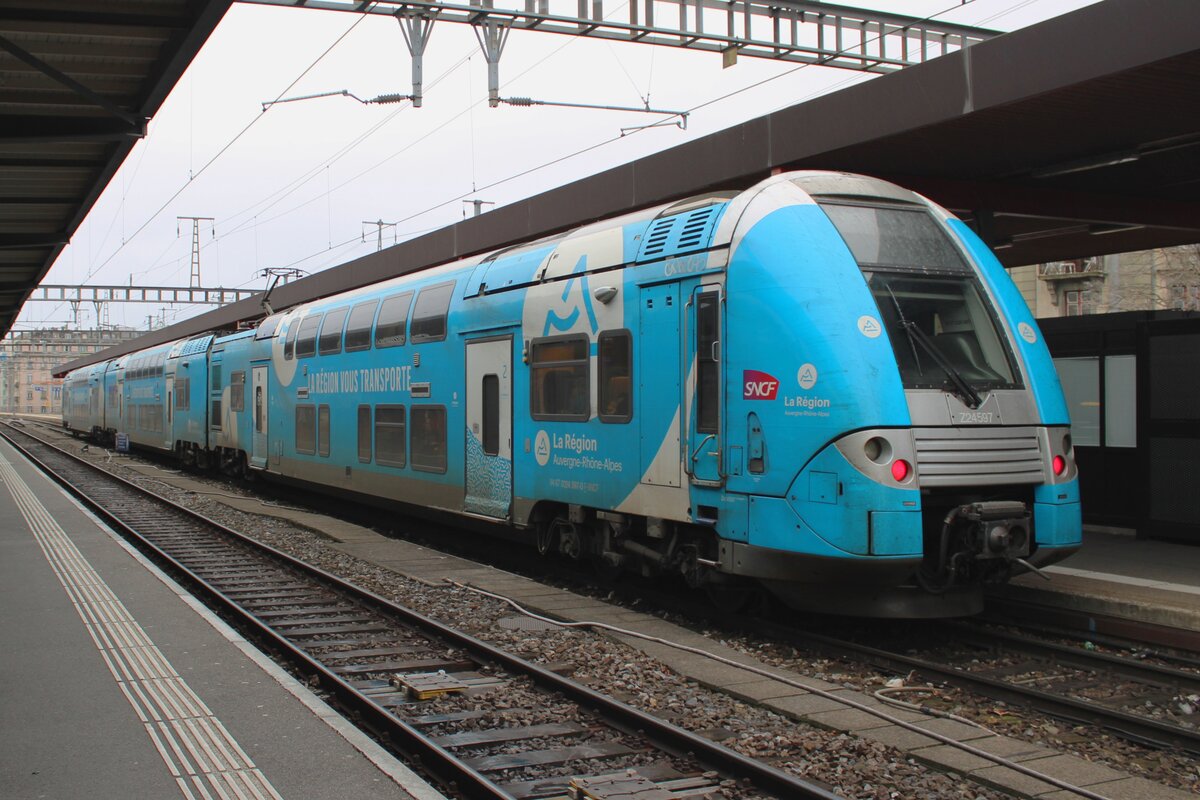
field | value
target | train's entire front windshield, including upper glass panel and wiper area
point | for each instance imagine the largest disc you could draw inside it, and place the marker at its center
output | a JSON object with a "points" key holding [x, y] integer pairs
{"points": [[943, 328]]}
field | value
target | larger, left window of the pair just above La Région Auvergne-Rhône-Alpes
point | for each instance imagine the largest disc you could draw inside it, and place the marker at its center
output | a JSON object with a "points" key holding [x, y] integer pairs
{"points": [[559, 371]]}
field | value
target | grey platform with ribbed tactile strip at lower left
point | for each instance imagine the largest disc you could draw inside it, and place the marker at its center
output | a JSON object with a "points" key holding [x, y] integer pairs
{"points": [[115, 684]]}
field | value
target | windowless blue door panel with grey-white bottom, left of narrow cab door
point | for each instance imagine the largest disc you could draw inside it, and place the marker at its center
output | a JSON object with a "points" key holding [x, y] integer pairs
{"points": [[658, 386]]}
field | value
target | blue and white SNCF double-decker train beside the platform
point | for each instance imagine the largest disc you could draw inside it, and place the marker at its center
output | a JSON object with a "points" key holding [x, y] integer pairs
{"points": [[825, 386]]}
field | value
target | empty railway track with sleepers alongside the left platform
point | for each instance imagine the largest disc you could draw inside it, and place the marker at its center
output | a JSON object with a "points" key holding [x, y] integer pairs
{"points": [[481, 721]]}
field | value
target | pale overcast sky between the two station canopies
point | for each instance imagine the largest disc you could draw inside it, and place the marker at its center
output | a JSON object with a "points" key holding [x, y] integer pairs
{"points": [[296, 187]]}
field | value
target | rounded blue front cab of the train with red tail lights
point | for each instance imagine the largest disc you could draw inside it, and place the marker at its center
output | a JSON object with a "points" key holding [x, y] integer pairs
{"points": [[878, 476]]}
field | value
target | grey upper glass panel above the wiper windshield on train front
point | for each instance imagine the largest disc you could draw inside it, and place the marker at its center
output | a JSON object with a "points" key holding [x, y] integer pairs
{"points": [[896, 238]]}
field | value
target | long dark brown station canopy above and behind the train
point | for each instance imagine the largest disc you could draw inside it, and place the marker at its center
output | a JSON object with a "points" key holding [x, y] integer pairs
{"points": [[1076, 137]]}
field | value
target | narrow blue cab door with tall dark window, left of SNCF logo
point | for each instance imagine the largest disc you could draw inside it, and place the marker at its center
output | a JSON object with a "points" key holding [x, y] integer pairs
{"points": [[705, 432]]}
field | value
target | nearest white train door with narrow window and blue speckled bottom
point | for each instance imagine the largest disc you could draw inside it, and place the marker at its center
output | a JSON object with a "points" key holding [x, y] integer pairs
{"points": [[490, 428]]}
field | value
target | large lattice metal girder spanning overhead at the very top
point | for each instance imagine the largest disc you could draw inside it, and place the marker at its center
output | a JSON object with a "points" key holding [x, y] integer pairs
{"points": [[783, 31]]}
